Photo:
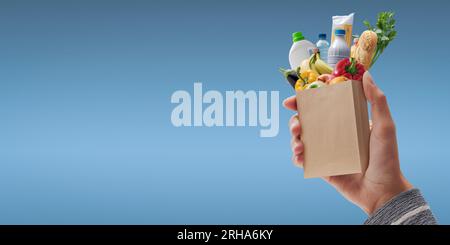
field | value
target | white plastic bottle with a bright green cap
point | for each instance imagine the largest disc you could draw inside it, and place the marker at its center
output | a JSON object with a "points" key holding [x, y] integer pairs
{"points": [[300, 50]]}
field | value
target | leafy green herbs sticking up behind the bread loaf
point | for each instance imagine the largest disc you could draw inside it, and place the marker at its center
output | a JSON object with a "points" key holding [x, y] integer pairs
{"points": [[385, 30]]}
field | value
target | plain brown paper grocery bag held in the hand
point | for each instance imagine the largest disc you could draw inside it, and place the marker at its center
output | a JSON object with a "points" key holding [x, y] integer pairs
{"points": [[335, 129]]}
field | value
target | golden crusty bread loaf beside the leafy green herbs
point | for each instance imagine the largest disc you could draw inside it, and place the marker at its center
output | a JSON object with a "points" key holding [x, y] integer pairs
{"points": [[366, 48]]}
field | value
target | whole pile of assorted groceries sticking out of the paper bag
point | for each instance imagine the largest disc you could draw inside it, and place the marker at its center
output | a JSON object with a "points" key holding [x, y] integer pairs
{"points": [[309, 69]]}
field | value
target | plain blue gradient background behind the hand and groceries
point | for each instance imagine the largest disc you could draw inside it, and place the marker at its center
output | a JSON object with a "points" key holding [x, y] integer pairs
{"points": [[85, 130]]}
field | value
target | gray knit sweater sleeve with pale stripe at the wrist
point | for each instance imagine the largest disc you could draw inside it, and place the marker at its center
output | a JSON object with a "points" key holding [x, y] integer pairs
{"points": [[407, 208]]}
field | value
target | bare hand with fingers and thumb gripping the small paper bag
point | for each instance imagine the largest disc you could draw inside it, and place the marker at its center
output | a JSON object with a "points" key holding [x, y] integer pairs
{"points": [[383, 178]]}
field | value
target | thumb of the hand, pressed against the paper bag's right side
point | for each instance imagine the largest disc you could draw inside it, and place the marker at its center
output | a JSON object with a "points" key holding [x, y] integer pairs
{"points": [[377, 99]]}
